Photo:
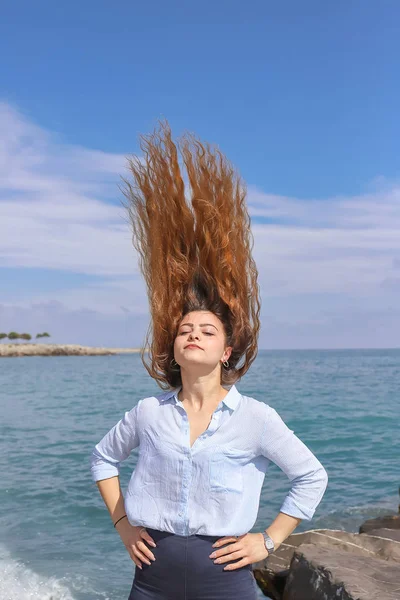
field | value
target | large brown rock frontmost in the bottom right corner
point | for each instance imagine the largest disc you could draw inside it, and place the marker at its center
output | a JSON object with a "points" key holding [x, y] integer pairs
{"points": [[318, 572]]}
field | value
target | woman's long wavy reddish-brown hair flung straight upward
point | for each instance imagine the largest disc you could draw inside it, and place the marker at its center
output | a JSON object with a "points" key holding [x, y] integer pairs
{"points": [[195, 253]]}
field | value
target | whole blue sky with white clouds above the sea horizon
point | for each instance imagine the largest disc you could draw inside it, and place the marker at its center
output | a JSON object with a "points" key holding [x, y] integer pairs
{"points": [[302, 96]]}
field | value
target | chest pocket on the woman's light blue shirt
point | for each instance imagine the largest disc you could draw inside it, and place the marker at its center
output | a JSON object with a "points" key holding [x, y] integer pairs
{"points": [[226, 471]]}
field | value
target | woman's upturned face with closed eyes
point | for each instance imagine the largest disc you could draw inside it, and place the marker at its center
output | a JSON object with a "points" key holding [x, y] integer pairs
{"points": [[206, 331]]}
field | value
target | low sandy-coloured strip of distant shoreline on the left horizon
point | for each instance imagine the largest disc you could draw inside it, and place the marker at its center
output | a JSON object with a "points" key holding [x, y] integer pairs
{"points": [[14, 350]]}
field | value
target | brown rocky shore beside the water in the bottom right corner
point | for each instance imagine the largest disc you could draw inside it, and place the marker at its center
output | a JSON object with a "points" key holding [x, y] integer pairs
{"points": [[324, 564]]}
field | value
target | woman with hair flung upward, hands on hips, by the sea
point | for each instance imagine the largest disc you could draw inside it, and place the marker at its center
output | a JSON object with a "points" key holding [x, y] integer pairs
{"points": [[204, 447]]}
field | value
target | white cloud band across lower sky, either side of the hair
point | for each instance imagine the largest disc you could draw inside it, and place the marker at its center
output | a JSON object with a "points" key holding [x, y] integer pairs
{"points": [[60, 209]]}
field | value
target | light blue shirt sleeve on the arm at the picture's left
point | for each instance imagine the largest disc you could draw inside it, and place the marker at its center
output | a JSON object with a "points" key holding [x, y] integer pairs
{"points": [[115, 446]]}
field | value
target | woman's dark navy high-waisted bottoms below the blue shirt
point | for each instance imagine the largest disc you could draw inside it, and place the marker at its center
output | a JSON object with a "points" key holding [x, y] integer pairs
{"points": [[183, 571]]}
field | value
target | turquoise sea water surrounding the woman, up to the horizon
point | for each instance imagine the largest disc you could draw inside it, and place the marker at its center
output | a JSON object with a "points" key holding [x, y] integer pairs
{"points": [[57, 540]]}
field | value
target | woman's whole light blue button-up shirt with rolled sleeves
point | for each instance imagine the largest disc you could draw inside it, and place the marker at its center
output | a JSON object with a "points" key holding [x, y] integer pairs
{"points": [[213, 487]]}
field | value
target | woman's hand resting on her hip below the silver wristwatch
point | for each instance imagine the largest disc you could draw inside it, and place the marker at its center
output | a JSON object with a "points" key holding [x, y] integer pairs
{"points": [[249, 548]]}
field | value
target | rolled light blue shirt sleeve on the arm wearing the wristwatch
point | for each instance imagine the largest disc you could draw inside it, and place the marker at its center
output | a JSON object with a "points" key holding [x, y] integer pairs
{"points": [[307, 476]]}
